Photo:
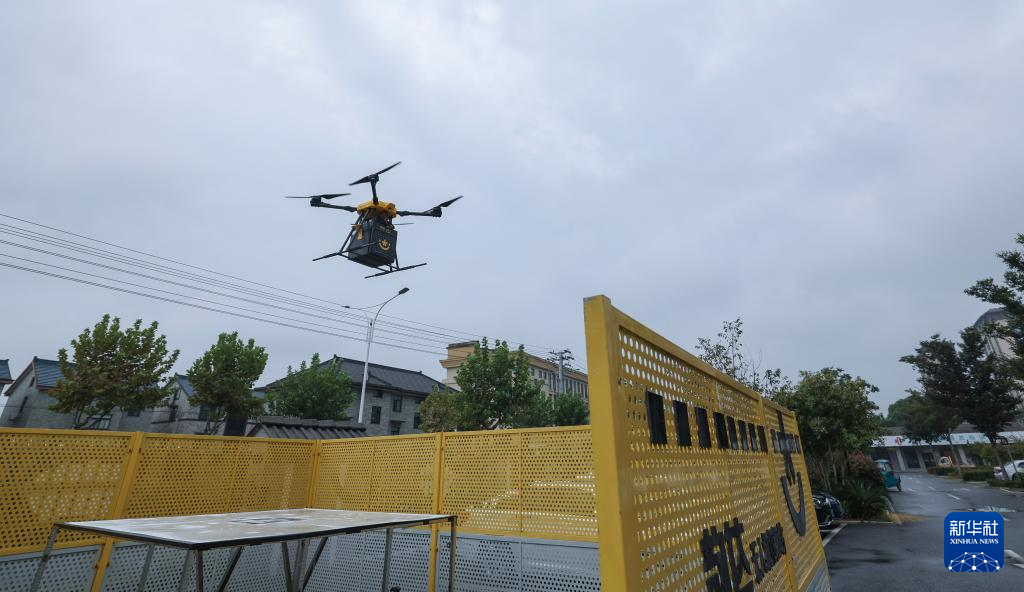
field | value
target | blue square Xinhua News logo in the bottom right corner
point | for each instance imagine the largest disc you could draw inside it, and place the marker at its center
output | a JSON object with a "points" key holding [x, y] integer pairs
{"points": [[974, 542]]}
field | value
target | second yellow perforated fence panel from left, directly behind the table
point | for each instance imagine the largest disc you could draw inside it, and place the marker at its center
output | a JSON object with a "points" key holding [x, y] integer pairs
{"points": [[179, 476]]}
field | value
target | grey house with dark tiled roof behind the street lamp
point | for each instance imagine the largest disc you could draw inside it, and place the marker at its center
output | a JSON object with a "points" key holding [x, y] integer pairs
{"points": [[394, 398]]}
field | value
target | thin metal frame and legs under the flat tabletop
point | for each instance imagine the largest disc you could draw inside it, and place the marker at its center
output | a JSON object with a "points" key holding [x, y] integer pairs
{"points": [[296, 576]]}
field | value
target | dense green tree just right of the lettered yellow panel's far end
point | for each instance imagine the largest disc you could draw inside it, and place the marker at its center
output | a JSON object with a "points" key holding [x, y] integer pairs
{"points": [[836, 418]]}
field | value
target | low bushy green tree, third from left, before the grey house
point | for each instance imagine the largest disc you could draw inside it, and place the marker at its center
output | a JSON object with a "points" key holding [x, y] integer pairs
{"points": [[315, 392]]}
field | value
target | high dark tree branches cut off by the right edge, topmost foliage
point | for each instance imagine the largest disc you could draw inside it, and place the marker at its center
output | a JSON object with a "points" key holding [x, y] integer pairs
{"points": [[1009, 295]]}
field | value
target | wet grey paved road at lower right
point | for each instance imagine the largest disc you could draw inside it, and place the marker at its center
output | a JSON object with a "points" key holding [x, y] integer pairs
{"points": [[892, 559]]}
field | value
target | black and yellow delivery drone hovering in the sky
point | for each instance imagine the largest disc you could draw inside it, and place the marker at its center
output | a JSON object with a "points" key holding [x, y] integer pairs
{"points": [[373, 240]]}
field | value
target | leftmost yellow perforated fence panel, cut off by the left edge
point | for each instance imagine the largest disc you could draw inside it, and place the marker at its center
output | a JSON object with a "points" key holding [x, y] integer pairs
{"points": [[49, 477]]}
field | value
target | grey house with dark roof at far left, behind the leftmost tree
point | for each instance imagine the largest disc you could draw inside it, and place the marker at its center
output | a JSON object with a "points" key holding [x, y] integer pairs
{"points": [[28, 403]]}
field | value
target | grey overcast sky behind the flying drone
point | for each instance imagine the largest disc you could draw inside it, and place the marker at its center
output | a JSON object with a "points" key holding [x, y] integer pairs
{"points": [[835, 175]]}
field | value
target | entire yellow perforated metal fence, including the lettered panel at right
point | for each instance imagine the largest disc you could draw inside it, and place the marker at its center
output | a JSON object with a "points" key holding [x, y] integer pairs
{"points": [[692, 479]]}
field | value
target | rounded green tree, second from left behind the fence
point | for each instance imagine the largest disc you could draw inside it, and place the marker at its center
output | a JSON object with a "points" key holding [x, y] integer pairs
{"points": [[223, 379]]}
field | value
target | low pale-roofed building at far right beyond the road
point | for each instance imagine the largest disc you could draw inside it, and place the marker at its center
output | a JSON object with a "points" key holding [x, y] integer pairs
{"points": [[908, 455]]}
